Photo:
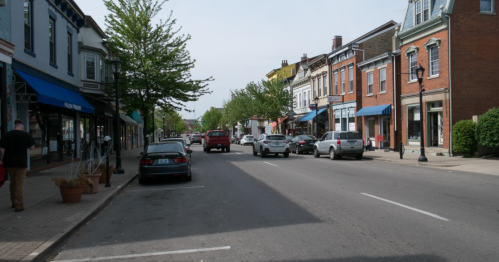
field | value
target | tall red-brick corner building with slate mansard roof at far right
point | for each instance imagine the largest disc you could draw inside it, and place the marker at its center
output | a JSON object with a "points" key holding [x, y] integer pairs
{"points": [[454, 40]]}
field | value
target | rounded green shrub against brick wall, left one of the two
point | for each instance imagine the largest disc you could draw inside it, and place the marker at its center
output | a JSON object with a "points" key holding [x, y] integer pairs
{"points": [[463, 137]]}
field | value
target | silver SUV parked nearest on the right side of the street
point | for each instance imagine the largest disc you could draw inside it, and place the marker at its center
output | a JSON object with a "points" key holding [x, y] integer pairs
{"points": [[340, 143]]}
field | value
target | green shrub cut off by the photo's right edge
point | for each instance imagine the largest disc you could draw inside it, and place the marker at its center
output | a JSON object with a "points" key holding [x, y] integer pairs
{"points": [[487, 130]]}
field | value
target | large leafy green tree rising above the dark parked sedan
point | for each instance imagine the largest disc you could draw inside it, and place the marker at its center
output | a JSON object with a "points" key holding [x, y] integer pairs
{"points": [[155, 62]]}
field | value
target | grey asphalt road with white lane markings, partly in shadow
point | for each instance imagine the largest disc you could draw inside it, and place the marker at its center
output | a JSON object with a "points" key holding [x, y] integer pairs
{"points": [[244, 208]]}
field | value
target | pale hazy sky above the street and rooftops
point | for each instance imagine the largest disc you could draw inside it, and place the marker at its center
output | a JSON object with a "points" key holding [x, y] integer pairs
{"points": [[240, 41]]}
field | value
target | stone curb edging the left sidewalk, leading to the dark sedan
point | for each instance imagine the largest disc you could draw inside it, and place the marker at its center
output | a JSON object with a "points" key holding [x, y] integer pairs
{"points": [[48, 249]]}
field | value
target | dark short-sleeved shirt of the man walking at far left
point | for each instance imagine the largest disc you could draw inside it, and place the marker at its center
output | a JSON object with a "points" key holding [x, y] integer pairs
{"points": [[15, 143]]}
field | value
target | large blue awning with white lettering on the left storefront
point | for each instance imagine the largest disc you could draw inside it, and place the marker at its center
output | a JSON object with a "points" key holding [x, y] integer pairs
{"points": [[55, 95]]}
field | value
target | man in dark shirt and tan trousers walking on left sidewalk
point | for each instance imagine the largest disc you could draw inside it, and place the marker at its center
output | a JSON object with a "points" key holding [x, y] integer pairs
{"points": [[14, 157]]}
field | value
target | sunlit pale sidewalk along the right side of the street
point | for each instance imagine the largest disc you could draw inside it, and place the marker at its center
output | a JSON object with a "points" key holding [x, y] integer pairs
{"points": [[474, 165]]}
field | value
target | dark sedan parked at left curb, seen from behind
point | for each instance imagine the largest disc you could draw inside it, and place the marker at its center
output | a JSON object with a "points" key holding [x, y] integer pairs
{"points": [[164, 159]]}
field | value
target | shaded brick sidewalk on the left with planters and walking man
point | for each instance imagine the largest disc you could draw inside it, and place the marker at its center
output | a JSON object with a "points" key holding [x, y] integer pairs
{"points": [[46, 222]]}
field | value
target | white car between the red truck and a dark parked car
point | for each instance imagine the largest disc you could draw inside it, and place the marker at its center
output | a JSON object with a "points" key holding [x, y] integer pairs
{"points": [[271, 144]]}
